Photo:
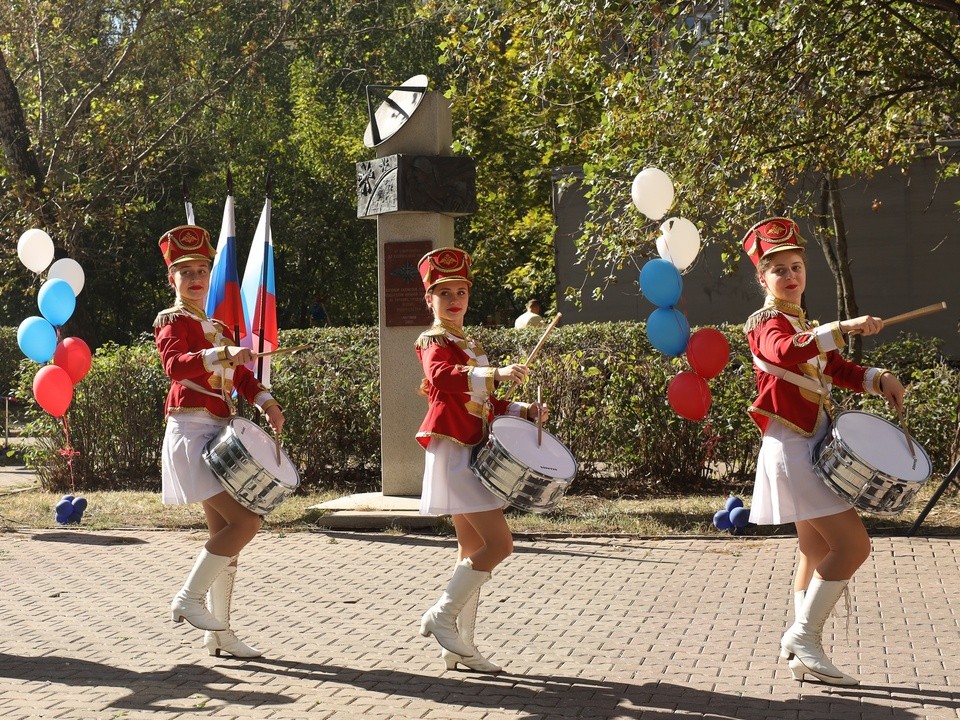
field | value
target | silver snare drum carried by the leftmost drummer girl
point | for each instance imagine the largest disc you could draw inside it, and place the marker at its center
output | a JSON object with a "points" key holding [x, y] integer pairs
{"points": [[243, 457]]}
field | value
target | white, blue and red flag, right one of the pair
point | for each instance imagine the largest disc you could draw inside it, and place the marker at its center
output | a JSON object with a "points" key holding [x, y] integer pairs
{"points": [[259, 294]]}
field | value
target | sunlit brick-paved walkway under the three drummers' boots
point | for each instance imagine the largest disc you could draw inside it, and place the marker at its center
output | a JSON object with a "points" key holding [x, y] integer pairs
{"points": [[585, 627]]}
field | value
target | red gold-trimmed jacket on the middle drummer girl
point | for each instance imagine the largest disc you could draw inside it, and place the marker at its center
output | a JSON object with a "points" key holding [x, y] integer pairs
{"points": [[459, 386]]}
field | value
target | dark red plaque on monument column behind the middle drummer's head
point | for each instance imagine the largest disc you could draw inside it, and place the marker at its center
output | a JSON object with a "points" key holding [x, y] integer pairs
{"points": [[403, 290]]}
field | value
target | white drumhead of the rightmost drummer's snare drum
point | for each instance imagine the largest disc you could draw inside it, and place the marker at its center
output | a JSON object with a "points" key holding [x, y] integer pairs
{"points": [[882, 445]]}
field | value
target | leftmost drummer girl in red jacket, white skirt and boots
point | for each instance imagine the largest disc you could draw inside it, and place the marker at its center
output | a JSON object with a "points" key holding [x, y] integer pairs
{"points": [[205, 366]]}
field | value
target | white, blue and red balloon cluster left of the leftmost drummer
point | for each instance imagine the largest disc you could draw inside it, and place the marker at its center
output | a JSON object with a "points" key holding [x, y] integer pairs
{"points": [[39, 335]]}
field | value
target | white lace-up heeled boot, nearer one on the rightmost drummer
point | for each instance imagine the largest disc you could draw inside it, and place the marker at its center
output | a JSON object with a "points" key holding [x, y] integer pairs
{"points": [[802, 643]]}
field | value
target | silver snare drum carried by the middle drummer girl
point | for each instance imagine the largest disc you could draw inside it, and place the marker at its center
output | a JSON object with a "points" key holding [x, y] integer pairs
{"points": [[516, 469]]}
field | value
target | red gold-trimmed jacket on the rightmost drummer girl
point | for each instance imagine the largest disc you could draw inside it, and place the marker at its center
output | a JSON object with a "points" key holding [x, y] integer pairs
{"points": [[780, 335]]}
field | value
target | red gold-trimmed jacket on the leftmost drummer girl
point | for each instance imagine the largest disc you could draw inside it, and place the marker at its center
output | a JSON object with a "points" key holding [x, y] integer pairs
{"points": [[188, 343]]}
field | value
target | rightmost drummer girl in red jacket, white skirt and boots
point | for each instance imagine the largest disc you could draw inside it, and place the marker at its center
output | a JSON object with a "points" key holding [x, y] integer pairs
{"points": [[797, 361]]}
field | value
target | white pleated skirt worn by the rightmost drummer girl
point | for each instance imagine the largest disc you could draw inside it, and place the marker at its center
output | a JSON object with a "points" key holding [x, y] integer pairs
{"points": [[786, 488]]}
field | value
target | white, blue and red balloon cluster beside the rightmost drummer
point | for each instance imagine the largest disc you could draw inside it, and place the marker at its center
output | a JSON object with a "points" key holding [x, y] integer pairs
{"points": [[660, 282]]}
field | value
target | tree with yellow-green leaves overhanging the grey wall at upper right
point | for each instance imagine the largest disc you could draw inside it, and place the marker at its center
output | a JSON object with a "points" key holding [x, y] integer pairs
{"points": [[753, 108]]}
